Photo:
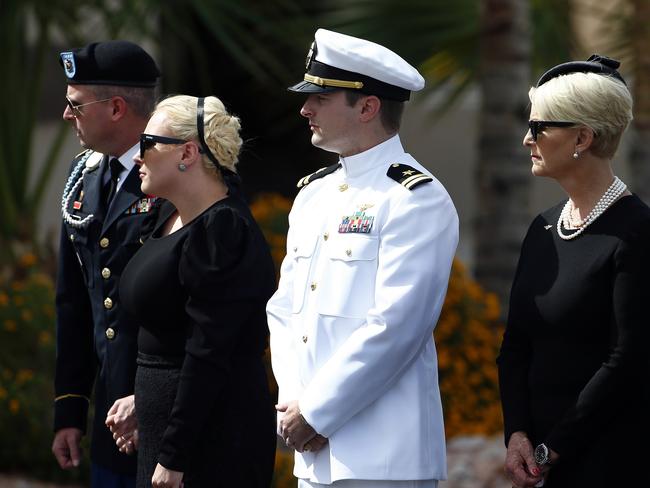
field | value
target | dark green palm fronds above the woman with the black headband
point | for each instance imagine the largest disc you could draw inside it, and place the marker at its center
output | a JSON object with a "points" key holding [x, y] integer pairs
{"points": [[256, 35]]}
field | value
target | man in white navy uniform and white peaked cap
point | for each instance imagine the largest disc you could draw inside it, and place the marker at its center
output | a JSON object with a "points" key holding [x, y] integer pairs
{"points": [[369, 251]]}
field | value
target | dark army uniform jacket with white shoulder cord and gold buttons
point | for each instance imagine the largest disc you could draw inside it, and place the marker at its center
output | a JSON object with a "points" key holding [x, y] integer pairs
{"points": [[96, 343]]}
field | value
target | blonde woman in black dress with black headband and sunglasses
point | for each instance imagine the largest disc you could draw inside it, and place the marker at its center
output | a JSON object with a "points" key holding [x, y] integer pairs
{"points": [[198, 289]]}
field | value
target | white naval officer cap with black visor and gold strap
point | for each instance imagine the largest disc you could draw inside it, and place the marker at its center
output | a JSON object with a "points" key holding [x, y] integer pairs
{"points": [[338, 61]]}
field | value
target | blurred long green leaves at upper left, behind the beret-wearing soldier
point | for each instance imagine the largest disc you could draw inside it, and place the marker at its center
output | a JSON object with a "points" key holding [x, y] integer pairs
{"points": [[26, 32]]}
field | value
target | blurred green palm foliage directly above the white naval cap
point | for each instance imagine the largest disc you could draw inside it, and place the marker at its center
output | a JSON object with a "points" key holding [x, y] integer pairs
{"points": [[440, 37]]}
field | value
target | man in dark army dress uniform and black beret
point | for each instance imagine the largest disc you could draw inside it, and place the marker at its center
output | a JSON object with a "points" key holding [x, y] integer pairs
{"points": [[110, 95]]}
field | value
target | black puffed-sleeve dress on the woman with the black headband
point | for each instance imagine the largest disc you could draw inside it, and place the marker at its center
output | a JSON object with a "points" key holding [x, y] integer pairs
{"points": [[202, 398]]}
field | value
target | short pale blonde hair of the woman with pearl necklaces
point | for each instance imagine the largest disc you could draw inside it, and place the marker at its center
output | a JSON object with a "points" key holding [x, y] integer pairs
{"points": [[600, 102]]}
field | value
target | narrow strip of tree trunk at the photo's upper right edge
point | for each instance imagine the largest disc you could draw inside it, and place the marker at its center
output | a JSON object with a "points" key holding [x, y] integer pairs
{"points": [[640, 153]]}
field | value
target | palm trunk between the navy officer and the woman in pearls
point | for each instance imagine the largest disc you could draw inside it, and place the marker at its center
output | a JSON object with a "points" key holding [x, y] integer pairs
{"points": [[503, 177]]}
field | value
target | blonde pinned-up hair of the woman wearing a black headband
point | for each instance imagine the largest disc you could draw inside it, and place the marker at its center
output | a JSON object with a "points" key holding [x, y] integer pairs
{"points": [[221, 130]]}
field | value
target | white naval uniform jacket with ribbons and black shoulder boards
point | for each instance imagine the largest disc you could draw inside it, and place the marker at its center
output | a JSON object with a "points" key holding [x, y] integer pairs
{"points": [[352, 320]]}
